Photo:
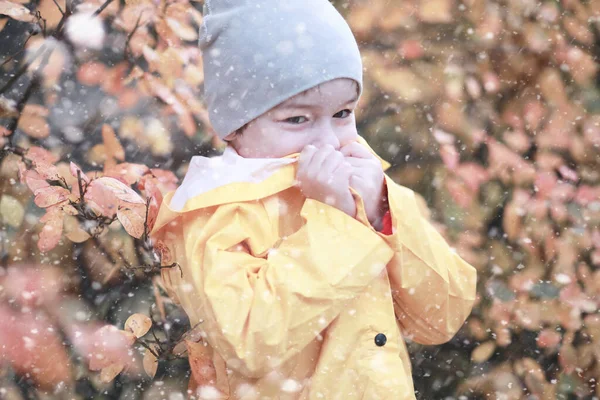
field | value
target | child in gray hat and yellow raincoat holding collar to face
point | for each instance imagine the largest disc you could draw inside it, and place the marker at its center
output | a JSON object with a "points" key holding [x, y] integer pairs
{"points": [[301, 262]]}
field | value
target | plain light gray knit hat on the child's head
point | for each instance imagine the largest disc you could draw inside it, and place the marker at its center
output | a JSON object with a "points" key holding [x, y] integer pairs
{"points": [[259, 53]]}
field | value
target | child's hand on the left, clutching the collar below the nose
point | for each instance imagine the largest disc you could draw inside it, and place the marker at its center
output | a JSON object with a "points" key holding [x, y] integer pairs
{"points": [[324, 175]]}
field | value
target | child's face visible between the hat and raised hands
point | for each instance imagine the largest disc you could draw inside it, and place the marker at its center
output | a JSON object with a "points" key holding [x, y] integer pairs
{"points": [[322, 115]]}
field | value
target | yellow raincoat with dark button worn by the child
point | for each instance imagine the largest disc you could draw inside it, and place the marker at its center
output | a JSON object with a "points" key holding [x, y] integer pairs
{"points": [[297, 300]]}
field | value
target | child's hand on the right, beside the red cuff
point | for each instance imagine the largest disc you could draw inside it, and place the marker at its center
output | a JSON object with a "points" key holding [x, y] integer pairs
{"points": [[367, 179]]}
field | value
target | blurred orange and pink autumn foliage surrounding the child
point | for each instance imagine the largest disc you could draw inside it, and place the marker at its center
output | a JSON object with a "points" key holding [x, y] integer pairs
{"points": [[489, 109]]}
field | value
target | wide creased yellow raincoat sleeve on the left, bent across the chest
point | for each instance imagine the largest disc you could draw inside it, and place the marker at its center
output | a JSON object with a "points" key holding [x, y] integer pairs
{"points": [[264, 297]]}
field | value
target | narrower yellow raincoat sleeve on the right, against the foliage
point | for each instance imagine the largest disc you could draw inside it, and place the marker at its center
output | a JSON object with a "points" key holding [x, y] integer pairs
{"points": [[432, 287]]}
